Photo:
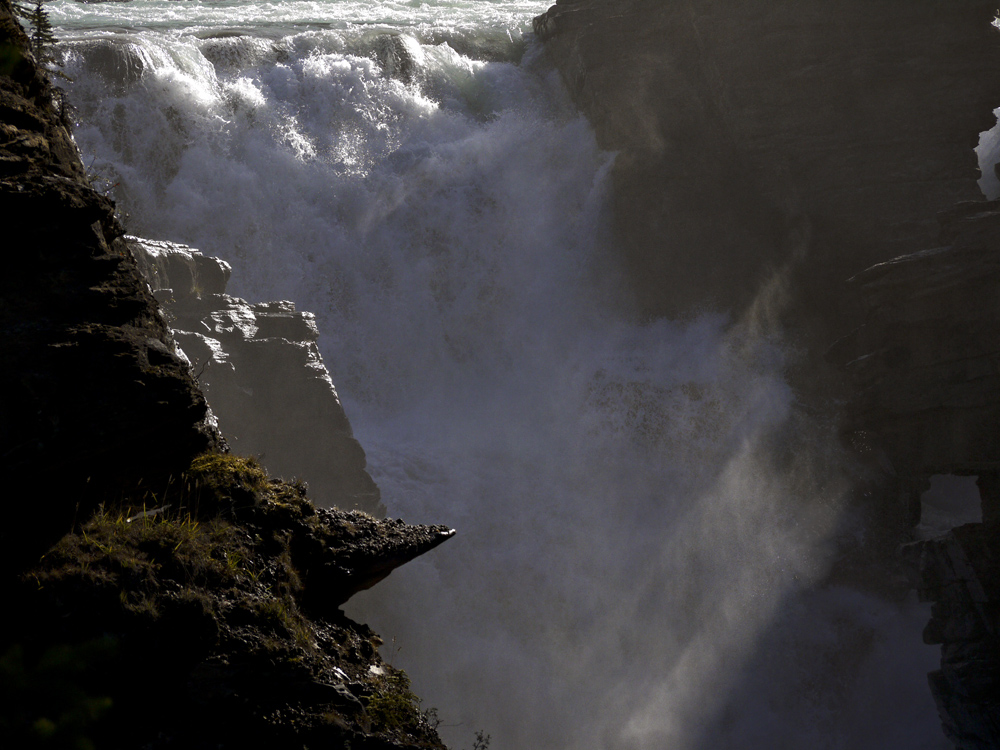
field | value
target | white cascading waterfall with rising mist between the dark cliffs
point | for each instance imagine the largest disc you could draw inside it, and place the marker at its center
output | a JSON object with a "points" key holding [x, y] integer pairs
{"points": [[644, 515]]}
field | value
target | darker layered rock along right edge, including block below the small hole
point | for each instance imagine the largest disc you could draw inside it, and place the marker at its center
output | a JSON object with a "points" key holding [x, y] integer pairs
{"points": [[925, 366]]}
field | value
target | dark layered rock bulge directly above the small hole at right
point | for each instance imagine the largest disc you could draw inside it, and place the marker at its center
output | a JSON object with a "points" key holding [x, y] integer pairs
{"points": [[925, 363]]}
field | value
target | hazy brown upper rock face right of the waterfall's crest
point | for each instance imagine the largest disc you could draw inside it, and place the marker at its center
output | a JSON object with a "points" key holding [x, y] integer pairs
{"points": [[754, 135]]}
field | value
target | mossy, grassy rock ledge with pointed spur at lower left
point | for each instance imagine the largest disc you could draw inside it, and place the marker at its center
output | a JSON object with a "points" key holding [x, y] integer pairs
{"points": [[181, 619]]}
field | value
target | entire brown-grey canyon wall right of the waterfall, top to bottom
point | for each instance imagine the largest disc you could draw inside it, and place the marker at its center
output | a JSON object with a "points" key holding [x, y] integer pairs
{"points": [[804, 143]]}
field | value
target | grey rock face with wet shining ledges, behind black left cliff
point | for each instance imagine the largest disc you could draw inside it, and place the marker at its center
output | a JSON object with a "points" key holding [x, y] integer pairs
{"points": [[262, 374]]}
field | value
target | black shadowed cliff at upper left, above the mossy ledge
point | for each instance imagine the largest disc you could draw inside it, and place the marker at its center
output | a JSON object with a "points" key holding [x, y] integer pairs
{"points": [[95, 397]]}
